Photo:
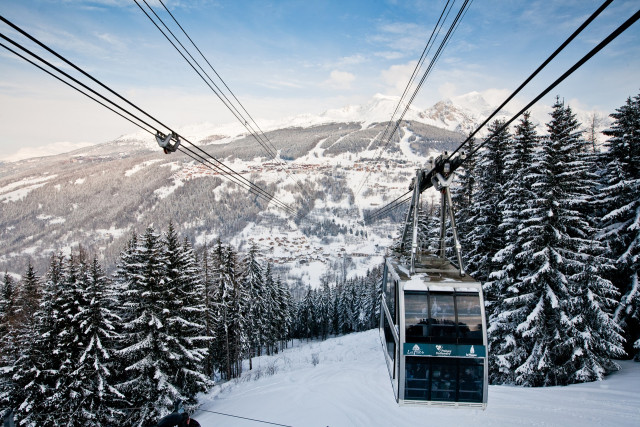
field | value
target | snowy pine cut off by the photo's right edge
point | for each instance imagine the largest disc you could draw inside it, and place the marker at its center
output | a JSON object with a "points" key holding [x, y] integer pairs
{"points": [[620, 197]]}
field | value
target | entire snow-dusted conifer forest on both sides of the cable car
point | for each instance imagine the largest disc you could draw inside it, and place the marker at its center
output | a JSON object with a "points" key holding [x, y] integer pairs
{"points": [[550, 224]]}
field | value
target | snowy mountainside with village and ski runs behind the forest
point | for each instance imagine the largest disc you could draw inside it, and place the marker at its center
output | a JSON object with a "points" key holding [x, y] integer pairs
{"points": [[337, 164]]}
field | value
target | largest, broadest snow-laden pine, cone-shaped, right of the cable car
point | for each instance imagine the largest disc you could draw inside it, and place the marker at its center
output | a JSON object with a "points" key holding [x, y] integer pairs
{"points": [[562, 284]]}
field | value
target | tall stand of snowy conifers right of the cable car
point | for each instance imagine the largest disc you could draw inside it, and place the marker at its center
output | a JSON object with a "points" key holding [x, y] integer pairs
{"points": [[550, 224]]}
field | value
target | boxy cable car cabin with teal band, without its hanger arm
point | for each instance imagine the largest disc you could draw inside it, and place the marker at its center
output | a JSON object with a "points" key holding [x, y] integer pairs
{"points": [[433, 332]]}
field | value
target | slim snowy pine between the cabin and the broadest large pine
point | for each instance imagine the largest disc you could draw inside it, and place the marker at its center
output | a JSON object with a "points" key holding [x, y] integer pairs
{"points": [[504, 353]]}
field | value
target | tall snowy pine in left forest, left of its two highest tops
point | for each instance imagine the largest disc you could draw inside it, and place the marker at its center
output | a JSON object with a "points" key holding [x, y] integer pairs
{"points": [[145, 355]]}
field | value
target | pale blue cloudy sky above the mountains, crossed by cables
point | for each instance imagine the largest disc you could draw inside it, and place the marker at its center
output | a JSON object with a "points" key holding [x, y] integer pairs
{"points": [[287, 57]]}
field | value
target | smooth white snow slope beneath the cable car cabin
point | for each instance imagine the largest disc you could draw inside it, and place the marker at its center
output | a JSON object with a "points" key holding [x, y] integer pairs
{"points": [[349, 386]]}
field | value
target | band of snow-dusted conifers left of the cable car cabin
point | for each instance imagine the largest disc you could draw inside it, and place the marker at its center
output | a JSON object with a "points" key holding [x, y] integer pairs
{"points": [[80, 348]]}
